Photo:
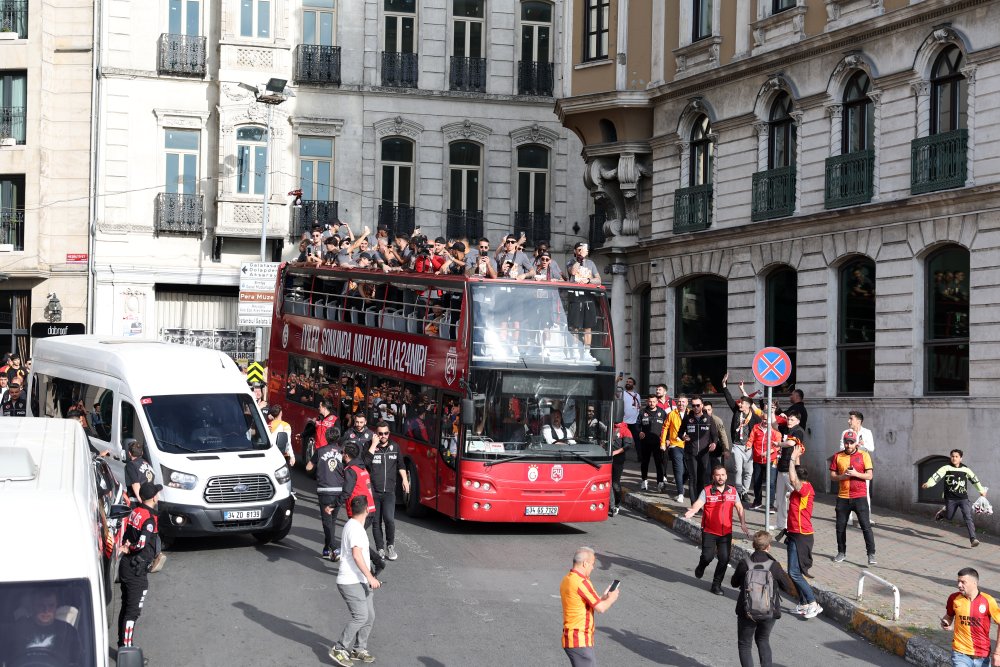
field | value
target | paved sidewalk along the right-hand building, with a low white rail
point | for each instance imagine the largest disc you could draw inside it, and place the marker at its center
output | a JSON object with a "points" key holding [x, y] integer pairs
{"points": [[919, 556]]}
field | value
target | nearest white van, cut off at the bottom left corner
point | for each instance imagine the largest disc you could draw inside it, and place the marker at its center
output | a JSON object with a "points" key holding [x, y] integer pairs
{"points": [[54, 580]]}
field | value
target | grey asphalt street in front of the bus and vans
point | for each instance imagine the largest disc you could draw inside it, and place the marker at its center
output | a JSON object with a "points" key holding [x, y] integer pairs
{"points": [[460, 594]]}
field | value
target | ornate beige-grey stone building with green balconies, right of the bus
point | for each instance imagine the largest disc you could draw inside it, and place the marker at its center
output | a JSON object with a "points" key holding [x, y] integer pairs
{"points": [[821, 175]]}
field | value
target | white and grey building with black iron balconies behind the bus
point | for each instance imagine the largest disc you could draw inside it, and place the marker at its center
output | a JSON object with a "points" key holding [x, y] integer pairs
{"points": [[435, 114]]}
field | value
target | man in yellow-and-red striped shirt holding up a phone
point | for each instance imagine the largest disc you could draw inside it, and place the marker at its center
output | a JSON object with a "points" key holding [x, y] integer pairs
{"points": [[580, 601]]}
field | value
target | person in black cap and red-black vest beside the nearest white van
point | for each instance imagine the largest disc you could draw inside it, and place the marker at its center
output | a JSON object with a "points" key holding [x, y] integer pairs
{"points": [[138, 550]]}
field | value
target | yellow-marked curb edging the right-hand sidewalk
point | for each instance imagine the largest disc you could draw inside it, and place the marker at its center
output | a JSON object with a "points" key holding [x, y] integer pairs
{"points": [[912, 648]]}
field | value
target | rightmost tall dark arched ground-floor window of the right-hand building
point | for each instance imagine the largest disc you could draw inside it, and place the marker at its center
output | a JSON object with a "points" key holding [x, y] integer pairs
{"points": [[946, 357]]}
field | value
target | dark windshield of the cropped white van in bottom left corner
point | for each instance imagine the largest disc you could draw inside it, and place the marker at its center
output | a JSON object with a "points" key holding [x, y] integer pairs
{"points": [[47, 623]]}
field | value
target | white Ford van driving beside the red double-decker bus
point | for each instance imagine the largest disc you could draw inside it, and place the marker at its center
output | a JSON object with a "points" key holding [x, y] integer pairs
{"points": [[193, 412]]}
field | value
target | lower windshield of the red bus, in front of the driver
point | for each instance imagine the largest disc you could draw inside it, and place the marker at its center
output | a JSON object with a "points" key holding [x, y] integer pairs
{"points": [[540, 416]]}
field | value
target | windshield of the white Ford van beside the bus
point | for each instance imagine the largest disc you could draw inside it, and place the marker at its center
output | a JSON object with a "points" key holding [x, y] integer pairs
{"points": [[205, 423]]}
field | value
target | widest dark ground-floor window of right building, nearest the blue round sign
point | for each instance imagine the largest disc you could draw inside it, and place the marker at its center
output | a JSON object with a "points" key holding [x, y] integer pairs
{"points": [[702, 317]]}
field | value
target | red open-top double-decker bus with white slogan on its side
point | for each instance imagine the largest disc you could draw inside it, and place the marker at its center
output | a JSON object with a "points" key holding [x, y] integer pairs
{"points": [[499, 398]]}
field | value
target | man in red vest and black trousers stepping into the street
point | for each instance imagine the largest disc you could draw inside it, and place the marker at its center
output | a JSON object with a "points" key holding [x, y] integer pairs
{"points": [[719, 499]]}
